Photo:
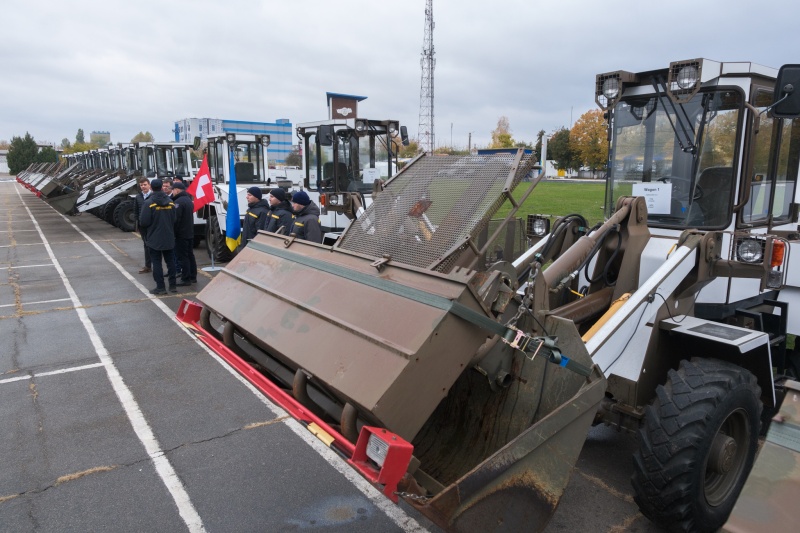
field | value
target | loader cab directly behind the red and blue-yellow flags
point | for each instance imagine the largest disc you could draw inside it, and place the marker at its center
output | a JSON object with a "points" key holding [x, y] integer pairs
{"points": [[250, 158]]}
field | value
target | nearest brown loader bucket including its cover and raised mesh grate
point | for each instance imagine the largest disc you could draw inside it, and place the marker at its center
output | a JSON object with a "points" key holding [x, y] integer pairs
{"points": [[383, 331]]}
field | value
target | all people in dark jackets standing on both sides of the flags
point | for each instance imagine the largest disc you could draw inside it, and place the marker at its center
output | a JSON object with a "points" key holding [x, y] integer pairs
{"points": [[164, 214]]}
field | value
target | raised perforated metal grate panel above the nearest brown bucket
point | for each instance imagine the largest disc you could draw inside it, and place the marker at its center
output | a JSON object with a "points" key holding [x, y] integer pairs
{"points": [[428, 212]]}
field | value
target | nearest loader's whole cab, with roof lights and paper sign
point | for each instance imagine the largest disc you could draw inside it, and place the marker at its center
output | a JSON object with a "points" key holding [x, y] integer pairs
{"points": [[697, 140]]}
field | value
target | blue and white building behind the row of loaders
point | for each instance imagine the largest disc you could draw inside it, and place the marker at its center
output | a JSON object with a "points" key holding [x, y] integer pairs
{"points": [[281, 132]]}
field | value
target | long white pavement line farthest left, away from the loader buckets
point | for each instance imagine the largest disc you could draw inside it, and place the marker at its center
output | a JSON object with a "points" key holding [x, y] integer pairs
{"points": [[140, 426]]}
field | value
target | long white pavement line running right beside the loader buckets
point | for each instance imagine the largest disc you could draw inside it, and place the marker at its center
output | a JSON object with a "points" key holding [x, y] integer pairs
{"points": [[394, 512]]}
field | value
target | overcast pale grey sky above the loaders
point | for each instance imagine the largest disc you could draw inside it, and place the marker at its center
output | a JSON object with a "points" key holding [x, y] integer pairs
{"points": [[126, 67]]}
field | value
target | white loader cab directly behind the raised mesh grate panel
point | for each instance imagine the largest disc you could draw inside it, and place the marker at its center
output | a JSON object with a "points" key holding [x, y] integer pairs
{"points": [[343, 156]]}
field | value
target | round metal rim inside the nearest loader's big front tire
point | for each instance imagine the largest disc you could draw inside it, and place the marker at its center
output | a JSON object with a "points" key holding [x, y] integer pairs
{"points": [[727, 458]]}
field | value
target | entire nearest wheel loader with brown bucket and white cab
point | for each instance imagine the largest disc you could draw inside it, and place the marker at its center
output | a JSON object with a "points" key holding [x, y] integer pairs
{"points": [[465, 381]]}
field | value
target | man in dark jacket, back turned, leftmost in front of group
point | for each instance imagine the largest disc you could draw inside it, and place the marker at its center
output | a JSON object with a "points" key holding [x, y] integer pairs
{"points": [[158, 218]]}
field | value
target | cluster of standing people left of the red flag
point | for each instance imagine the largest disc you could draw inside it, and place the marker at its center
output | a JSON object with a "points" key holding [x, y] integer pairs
{"points": [[164, 214]]}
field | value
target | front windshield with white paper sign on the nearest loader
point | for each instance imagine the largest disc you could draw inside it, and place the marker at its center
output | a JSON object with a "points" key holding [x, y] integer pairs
{"points": [[680, 157]]}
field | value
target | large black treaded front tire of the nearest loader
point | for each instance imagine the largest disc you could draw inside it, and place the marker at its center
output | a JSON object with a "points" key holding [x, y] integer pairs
{"points": [[674, 482]]}
